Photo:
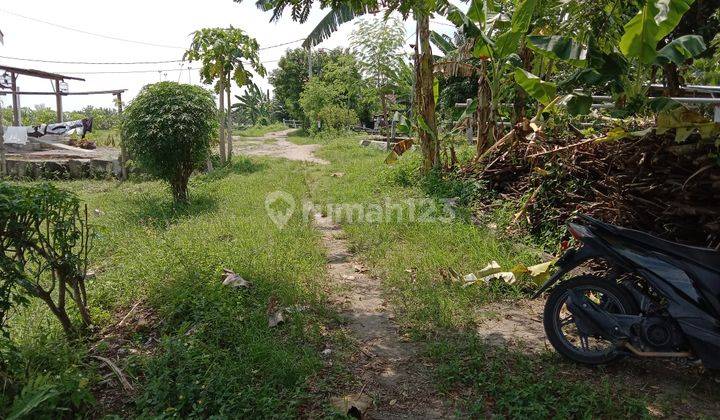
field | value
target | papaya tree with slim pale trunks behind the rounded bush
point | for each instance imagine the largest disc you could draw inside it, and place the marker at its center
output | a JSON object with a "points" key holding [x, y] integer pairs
{"points": [[224, 54]]}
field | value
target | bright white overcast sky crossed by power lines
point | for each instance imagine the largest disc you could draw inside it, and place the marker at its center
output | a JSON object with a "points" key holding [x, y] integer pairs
{"points": [[167, 24]]}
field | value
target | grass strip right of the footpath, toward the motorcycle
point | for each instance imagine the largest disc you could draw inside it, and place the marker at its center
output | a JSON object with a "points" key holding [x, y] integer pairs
{"points": [[410, 257]]}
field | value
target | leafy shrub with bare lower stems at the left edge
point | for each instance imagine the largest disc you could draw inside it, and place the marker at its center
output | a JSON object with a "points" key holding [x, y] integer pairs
{"points": [[44, 241]]}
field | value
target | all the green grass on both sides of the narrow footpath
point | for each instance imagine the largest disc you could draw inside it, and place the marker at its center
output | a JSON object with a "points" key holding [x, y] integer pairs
{"points": [[216, 354]]}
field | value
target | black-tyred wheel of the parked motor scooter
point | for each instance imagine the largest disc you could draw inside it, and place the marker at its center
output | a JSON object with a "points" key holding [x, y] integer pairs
{"points": [[560, 327]]}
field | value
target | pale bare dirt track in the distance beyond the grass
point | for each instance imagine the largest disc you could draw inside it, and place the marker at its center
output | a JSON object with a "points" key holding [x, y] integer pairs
{"points": [[276, 145]]}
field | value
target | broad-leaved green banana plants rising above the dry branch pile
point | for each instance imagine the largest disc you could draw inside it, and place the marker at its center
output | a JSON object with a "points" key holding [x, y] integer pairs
{"points": [[496, 39]]}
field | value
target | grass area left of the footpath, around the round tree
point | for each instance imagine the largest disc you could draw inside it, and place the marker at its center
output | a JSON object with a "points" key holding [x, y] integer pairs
{"points": [[216, 354]]}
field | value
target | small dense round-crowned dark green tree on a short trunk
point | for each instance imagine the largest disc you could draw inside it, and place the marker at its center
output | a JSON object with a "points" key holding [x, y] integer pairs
{"points": [[168, 128]]}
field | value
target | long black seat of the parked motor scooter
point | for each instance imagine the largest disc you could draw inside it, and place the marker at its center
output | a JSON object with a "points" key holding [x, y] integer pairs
{"points": [[704, 256]]}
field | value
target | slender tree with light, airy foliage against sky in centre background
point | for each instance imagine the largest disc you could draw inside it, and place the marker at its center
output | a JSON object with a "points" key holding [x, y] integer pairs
{"points": [[377, 44]]}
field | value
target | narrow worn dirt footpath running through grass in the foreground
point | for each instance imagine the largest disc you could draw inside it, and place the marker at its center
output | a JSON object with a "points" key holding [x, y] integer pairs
{"points": [[395, 382]]}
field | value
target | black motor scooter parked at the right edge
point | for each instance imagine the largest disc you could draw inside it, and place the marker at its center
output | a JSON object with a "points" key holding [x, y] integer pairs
{"points": [[652, 298]]}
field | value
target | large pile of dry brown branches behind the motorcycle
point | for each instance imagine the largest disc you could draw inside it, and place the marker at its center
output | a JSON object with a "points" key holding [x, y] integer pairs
{"points": [[648, 183]]}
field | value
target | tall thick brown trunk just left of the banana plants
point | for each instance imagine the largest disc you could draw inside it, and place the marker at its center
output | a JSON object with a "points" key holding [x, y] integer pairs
{"points": [[424, 97]]}
